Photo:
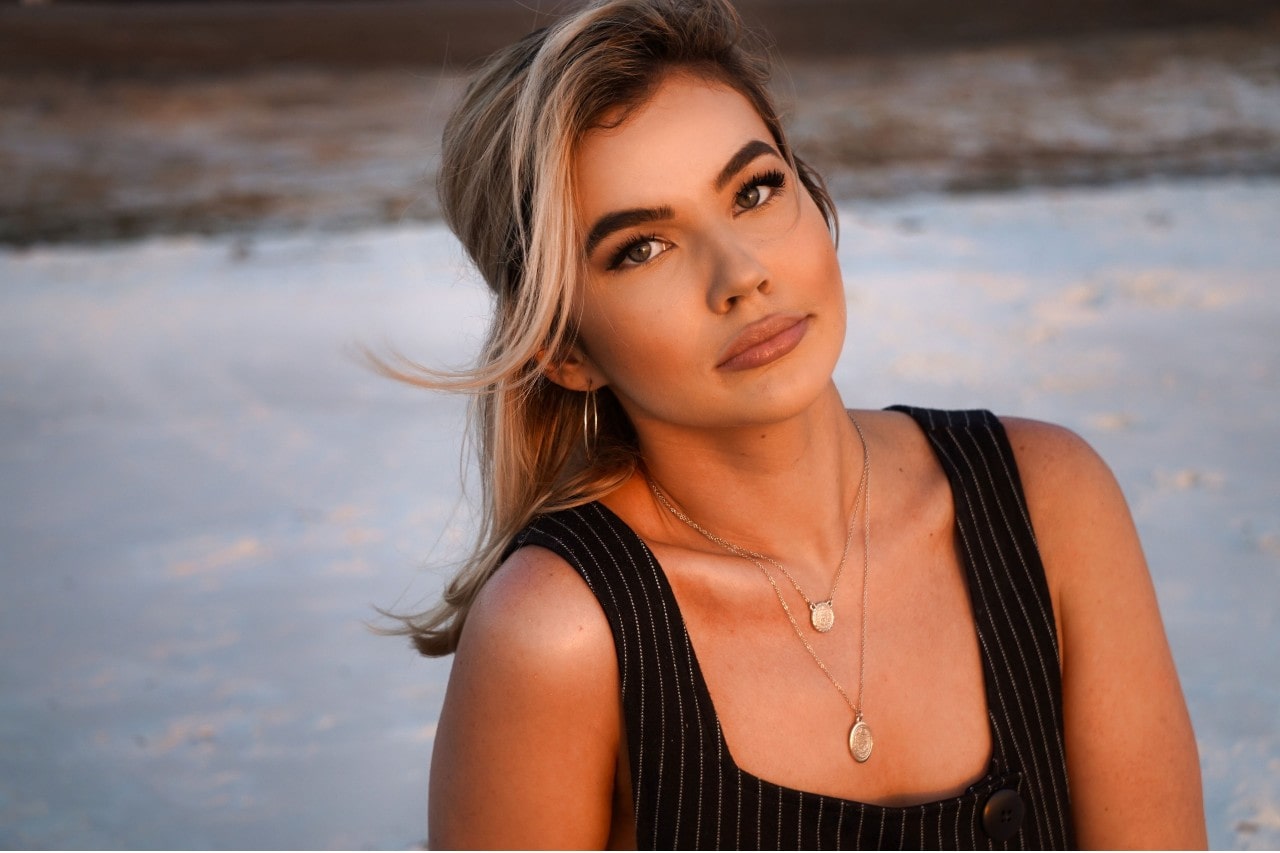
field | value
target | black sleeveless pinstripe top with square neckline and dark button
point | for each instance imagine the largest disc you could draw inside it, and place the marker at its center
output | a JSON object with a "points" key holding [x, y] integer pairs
{"points": [[688, 791]]}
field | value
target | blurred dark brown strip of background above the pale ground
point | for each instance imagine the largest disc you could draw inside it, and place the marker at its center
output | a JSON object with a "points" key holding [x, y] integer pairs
{"points": [[125, 120]]}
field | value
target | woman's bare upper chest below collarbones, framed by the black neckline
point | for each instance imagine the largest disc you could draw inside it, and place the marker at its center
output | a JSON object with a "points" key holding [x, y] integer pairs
{"points": [[785, 695]]}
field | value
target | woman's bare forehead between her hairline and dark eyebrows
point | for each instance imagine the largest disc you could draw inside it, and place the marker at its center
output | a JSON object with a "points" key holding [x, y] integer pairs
{"points": [[682, 135]]}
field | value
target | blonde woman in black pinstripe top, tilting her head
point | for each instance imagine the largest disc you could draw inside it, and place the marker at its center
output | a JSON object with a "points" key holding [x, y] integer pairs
{"points": [[710, 606]]}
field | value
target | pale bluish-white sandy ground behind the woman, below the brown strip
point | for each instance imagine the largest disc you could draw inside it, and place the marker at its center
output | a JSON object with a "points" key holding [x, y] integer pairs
{"points": [[203, 495]]}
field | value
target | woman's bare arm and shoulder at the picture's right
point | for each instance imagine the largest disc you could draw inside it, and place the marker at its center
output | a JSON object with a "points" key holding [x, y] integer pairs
{"points": [[1131, 750]]}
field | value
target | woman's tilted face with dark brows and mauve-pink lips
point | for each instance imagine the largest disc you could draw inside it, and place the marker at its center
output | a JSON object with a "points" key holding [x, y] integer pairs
{"points": [[714, 297]]}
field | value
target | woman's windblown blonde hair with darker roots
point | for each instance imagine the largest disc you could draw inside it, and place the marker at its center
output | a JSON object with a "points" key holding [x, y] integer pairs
{"points": [[506, 186]]}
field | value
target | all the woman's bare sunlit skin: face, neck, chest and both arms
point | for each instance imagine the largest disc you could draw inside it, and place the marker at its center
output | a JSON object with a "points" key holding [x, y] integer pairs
{"points": [[531, 749]]}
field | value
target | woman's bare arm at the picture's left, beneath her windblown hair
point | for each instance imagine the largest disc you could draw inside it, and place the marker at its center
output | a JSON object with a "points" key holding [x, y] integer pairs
{"points": [[528, 743]]}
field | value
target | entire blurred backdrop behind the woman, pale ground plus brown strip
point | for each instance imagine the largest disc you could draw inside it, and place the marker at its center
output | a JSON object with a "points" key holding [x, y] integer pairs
{"points": [[1064, 211]]}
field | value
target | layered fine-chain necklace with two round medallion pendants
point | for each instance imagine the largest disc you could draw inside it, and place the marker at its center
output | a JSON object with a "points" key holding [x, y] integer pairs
{"points": [[822, 615]]}
